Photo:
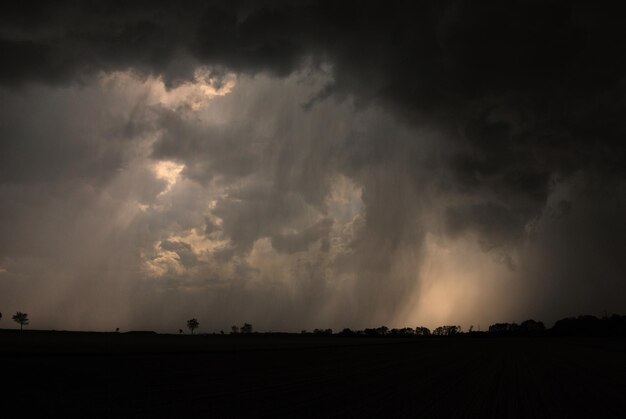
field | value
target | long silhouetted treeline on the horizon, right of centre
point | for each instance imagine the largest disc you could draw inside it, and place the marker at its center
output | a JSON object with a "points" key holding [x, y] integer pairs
{"points": [[586, 325]]}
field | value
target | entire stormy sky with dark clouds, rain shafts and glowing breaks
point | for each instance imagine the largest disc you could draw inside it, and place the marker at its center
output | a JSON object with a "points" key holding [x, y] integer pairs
{"points": [[300, 165]]}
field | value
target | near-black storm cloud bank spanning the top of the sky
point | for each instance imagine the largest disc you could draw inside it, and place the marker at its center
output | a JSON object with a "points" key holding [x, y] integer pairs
{"points": [[523, 83]]}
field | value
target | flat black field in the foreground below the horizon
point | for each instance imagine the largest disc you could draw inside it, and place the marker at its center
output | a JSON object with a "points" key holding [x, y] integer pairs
{"points": [[85, 374]]}
